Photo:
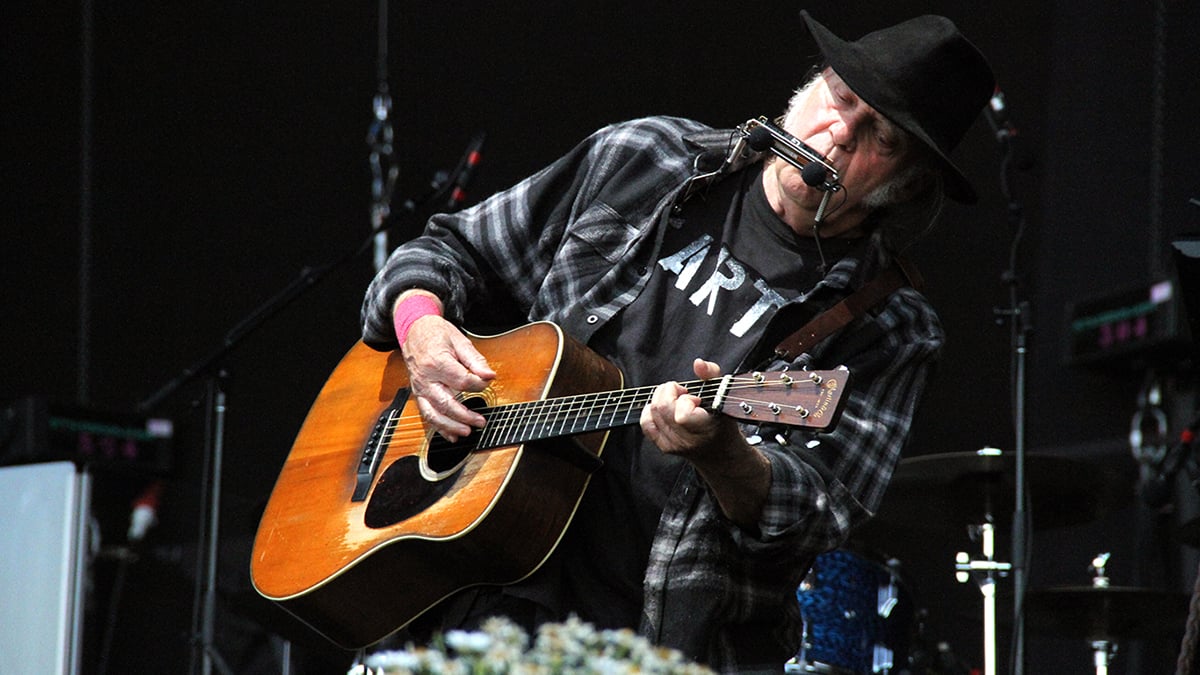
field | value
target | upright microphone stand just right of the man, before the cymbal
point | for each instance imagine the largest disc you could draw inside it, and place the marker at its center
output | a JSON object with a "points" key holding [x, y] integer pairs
{"points": [[1021, 324]]}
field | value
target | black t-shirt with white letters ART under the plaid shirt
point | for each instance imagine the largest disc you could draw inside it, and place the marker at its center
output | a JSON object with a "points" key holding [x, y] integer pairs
{"points": [[728, 264]]}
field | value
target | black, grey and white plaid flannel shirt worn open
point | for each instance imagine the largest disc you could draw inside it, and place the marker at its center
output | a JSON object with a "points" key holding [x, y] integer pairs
{"points": [[573, 244]]}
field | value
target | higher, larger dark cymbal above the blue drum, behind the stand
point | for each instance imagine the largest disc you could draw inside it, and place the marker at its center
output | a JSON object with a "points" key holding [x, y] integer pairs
{"points": [[952, 491]]}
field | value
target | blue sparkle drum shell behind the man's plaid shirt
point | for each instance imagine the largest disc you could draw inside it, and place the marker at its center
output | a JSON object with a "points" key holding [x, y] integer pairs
{"points": [[859, 617]]}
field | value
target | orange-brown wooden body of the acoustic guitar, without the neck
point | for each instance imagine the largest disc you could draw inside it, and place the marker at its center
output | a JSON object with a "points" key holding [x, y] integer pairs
{"points": [[358, 570]]}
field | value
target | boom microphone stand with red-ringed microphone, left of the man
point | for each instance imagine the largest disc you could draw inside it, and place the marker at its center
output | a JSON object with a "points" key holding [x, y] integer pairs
{"points": [[205, 654]]}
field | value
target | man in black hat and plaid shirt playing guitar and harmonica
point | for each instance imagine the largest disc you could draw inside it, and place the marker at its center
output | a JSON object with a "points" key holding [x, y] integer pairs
{"points": [[661, 241]]}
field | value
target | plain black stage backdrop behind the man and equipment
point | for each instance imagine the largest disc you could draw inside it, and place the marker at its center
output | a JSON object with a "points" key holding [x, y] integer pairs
{"points": [[227, 153]]}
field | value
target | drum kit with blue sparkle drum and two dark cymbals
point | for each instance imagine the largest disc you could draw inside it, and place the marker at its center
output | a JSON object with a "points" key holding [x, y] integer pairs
{"points": [[861, 617]]}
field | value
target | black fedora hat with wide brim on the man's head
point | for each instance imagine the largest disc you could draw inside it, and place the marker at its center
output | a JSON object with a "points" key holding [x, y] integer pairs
{"points": [[925, 76]]}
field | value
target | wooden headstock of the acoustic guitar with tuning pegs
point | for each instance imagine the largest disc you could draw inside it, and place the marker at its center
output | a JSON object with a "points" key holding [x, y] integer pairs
{"points": [[801, 398]]}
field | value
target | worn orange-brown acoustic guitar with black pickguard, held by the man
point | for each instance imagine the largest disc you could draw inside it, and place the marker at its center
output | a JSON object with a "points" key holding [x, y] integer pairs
{"points": [[375, 519]]}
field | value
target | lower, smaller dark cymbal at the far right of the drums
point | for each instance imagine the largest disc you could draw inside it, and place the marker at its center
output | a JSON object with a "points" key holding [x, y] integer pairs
{"points": [[1112, 614]]}
